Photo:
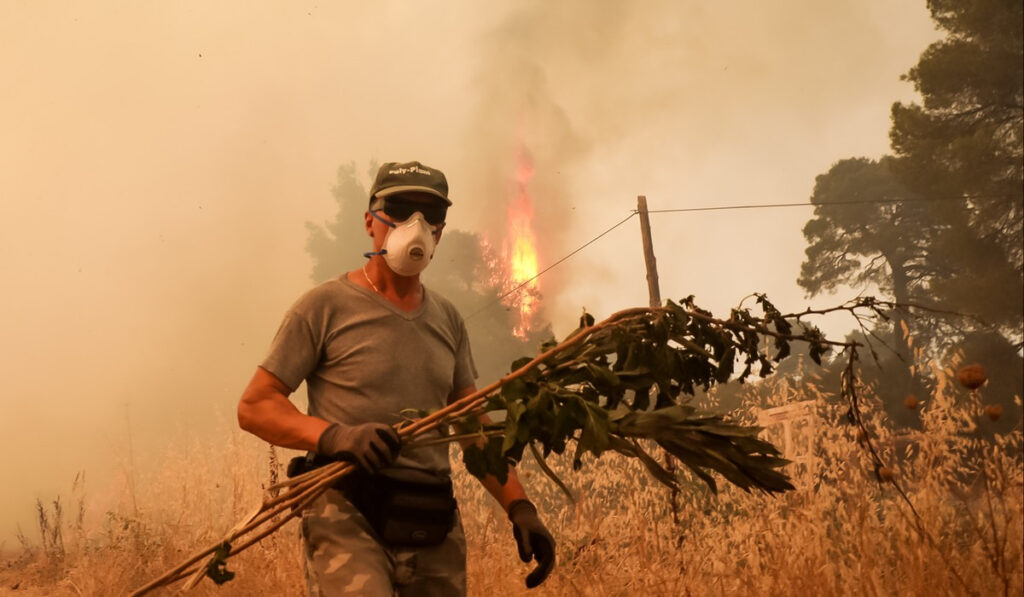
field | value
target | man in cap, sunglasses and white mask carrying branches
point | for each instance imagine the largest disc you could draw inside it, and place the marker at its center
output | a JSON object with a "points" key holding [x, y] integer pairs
{"points": [[370, 345]]}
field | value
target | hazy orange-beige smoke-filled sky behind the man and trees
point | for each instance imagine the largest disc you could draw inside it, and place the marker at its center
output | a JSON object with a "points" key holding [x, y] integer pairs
{"points": [[160, 162]]}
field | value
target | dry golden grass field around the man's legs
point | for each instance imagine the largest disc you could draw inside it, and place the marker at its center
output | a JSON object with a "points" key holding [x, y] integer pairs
{"points": [[841, 533]]}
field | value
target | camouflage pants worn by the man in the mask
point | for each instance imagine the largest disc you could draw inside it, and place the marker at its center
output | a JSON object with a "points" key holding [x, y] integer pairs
{"points": [[345, 558]]}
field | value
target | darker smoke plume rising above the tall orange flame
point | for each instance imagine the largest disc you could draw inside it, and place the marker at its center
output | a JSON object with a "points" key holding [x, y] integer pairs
{"points": [[528, 77]]}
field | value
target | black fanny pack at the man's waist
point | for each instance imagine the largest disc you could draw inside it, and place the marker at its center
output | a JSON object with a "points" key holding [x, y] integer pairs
{"points": [[406, 507]]}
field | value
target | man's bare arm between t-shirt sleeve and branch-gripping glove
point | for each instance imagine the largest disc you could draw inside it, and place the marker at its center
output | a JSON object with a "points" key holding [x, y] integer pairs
{"points": [[266, 412]]}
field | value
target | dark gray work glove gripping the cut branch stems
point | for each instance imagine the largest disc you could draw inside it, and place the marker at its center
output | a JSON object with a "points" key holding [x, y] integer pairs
{"points": [[372, 446]]}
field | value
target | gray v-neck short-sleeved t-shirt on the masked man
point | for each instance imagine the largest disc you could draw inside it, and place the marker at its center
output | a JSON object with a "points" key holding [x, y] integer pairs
{"points": [[364, 360]]}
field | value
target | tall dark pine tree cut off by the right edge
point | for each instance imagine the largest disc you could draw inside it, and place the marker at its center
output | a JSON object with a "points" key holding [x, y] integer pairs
{"points": [[967, 140]]}
